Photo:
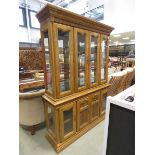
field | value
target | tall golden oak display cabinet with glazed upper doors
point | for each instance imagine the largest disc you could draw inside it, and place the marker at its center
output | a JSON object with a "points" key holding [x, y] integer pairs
{"points": [[76, 59]]}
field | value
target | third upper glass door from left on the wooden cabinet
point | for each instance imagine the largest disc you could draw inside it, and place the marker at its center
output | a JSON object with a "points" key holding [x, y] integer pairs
{"points": [[94, 58]]}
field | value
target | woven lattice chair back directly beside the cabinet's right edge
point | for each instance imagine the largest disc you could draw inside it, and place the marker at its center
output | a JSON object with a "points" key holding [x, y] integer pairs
{"points": [[115, 85]]}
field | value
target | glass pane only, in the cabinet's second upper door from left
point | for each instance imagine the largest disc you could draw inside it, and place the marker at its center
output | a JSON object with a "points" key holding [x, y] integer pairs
{"points": [[81, 59]]}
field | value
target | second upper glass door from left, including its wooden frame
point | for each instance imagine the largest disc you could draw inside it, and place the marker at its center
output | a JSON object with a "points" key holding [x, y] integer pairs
{"points": [[81, 67]]}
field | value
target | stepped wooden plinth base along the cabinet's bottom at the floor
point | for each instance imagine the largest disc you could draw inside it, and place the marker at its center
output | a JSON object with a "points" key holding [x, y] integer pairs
{"points": [[61, 146]]}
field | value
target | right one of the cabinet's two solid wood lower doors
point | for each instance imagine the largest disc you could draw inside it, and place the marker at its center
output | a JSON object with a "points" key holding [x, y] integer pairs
{"points": [[94, 105]]}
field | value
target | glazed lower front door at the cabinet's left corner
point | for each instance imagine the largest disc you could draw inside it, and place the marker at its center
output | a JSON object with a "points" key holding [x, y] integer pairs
{"points": [[67, 120]]}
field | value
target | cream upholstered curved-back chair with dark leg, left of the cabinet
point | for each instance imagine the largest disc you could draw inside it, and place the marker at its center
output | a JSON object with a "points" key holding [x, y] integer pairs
{"points": [[31, 109]]}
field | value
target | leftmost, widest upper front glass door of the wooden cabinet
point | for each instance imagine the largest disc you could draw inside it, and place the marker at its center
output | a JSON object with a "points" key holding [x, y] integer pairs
{"points": [[63, 36]]}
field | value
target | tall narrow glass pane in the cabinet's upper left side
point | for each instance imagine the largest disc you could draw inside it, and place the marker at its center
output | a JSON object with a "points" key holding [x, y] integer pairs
{"points": [[48, 62]]}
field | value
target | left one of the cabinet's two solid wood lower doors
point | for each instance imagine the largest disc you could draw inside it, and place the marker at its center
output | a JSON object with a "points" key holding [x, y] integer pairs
{"points": [[83, 112]]}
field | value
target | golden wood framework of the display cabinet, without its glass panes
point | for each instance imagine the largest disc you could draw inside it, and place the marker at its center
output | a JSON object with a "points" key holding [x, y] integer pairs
{"points": [[85, 102]]}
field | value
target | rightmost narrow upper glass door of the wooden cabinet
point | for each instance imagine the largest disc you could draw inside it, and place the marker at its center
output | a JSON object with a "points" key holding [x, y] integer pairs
{"points": [[103, 58]]}
